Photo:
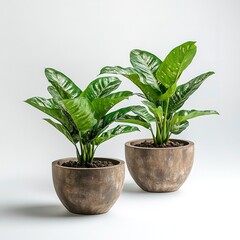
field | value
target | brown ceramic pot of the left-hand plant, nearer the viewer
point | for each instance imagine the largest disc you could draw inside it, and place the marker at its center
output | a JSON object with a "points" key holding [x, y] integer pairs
{"points": [[88, 190]]}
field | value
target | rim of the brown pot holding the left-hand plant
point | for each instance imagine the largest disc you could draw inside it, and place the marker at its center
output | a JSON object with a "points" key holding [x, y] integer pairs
{"points": [[55, 163]]}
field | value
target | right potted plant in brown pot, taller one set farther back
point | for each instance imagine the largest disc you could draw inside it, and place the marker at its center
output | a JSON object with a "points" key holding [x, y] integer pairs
{"points": [[161, 164]]}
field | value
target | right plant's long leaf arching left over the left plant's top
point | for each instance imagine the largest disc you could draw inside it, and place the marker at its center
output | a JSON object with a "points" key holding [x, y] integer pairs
{"points": [[150, 93]]}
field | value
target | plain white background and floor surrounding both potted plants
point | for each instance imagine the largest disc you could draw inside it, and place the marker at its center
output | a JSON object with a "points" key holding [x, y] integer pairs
{"points": [[79, 38]]}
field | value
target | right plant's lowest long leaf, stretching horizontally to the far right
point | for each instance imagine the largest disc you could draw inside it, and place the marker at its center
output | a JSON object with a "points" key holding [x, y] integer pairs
{"points": [[184, 115]]}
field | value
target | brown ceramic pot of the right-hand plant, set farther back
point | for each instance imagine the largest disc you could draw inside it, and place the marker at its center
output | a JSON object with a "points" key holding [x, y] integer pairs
{"points": [[159, 169]]}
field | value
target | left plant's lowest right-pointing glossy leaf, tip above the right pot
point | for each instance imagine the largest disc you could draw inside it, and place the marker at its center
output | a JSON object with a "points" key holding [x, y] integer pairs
{"points": [[120, 129]]}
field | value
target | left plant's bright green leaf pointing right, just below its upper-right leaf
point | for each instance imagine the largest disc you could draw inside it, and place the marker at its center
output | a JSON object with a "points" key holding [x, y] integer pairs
{"points": [[102, 105]]}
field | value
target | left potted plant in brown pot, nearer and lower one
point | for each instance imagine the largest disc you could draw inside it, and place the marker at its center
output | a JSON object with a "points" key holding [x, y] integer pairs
{"points": [[85, 184]]}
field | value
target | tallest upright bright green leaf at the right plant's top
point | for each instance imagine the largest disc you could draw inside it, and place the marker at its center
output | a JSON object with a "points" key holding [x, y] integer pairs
{"points": [[175, 63]]}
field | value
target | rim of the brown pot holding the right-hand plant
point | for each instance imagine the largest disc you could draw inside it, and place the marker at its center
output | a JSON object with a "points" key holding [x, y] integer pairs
{"points": [[129, 144]]}
